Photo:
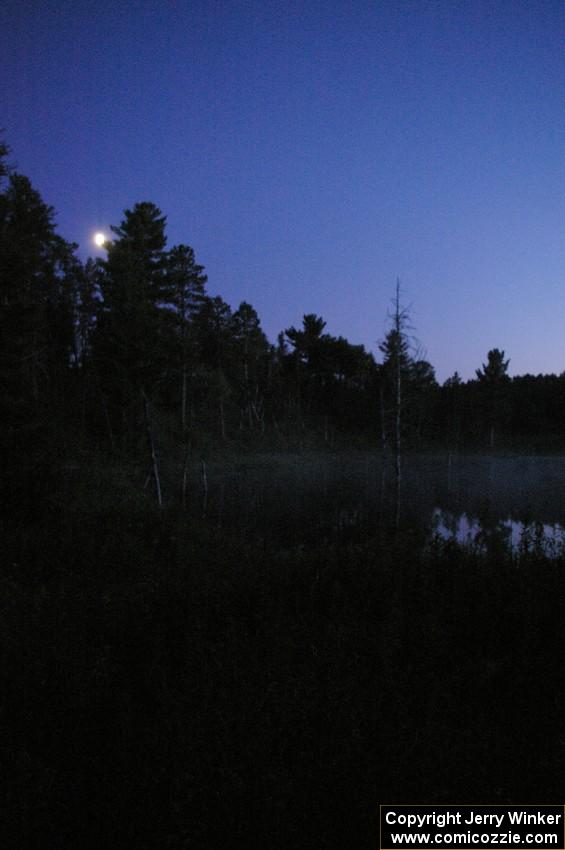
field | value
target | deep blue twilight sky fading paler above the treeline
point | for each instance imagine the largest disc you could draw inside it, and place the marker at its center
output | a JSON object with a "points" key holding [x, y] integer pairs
{"points": [[313, 151]]}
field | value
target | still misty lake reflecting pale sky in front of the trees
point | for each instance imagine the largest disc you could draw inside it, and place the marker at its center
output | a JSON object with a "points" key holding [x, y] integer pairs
{"points": [[301, 500]]}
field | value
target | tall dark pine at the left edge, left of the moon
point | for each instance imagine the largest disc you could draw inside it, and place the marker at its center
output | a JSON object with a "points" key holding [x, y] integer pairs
{"points": [[36, 338]]}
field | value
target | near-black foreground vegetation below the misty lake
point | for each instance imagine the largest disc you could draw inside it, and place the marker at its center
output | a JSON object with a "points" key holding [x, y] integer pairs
{"points": [[166, 685]]}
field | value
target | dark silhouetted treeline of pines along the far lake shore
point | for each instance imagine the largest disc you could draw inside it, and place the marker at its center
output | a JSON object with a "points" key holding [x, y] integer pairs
{"points": [[121, 351]]}
